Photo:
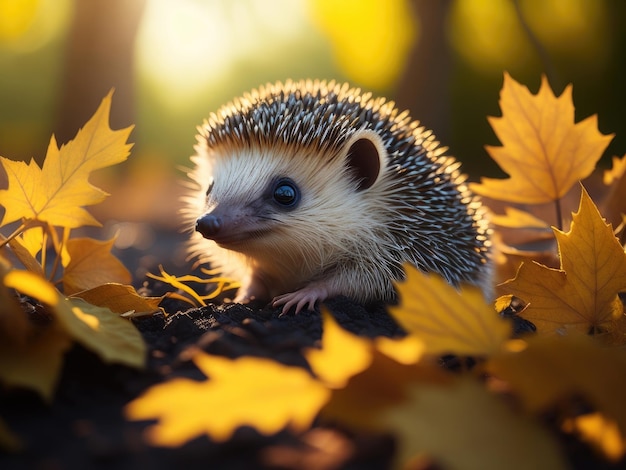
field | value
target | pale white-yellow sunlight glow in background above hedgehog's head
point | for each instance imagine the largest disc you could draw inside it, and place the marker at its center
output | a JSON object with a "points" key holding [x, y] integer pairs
{"points": [[184, 46]]}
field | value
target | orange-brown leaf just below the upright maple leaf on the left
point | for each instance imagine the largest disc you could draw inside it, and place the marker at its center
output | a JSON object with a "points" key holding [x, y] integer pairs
{"points": [[89, 263]]}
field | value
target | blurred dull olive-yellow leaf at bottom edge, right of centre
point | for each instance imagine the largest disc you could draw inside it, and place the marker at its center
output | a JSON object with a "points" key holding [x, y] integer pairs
{"points": [[461, 425]]}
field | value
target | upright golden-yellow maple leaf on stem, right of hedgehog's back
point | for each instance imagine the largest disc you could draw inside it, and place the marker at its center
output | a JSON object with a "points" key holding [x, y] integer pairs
{"points": [[544, 152]]}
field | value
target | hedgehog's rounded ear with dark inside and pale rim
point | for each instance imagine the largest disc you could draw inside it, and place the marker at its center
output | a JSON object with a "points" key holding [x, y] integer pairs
{"points": [[364, 156]]}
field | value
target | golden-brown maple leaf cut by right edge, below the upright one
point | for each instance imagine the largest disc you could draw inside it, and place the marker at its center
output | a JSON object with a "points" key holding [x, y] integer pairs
{"points": [[582, 295]]}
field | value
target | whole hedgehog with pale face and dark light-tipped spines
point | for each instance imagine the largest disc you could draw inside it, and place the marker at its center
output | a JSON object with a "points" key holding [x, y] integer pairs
{"points": [[311, 189]]}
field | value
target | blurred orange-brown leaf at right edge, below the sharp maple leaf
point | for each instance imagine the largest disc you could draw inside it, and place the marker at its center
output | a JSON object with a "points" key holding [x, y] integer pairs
{"points": [[545, 370]]}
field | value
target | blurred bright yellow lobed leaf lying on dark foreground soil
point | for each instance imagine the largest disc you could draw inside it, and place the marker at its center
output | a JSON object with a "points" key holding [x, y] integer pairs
{"points": [[247, 391]]}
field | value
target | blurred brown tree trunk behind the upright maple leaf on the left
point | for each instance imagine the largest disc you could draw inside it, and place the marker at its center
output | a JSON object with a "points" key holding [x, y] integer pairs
{"points": [[99, 56]]}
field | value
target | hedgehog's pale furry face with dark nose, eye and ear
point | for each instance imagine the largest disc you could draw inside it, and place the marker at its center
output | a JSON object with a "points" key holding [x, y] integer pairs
{"points": [[269, 203]]}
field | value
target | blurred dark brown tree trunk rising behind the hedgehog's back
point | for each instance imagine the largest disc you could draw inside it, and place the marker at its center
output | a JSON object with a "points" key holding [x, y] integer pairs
{"points": [[424, 87]]}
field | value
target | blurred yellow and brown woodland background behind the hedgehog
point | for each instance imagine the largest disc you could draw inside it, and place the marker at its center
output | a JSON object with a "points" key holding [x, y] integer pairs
{"points": [[173, 62]]}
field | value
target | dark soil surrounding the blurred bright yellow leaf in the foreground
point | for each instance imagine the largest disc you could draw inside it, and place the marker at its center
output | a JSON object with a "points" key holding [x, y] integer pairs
{"points": [[84, 427]]}
